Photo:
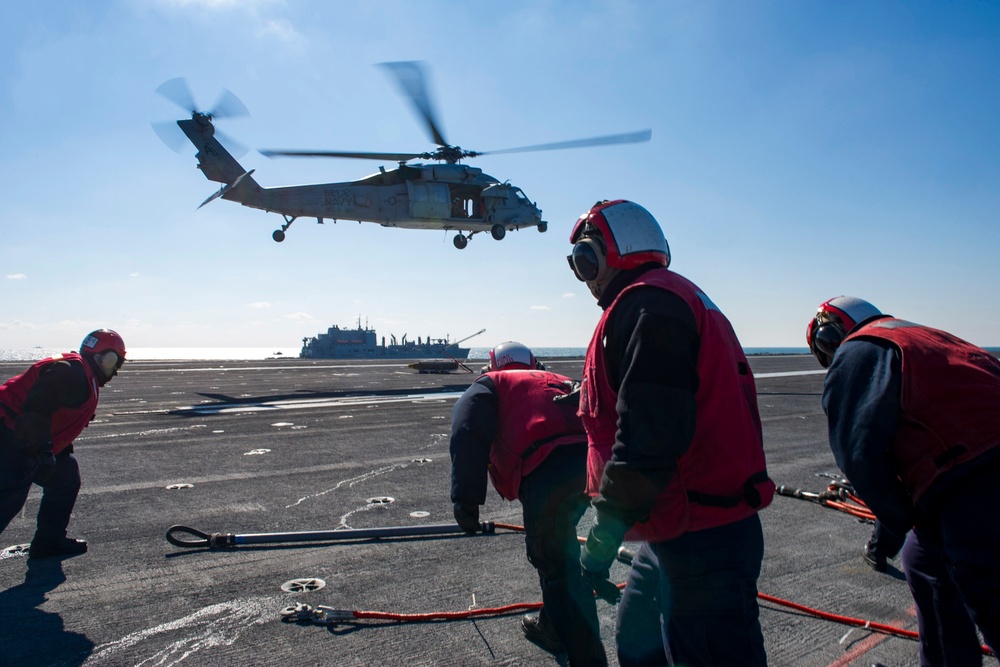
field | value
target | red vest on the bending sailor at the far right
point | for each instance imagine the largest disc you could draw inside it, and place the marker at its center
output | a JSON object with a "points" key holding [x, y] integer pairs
{"points": [[949, 403]]}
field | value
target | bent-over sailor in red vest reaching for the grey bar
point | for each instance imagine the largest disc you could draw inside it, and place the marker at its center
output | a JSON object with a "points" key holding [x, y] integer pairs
{"points": [[534, 448]]}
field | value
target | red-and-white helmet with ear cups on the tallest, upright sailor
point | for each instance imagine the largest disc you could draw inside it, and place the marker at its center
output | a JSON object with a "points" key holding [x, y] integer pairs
{"points": [[615, 236]]}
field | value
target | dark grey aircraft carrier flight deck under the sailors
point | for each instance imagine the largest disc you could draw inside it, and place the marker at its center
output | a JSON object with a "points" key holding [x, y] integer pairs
{"points": [[287, 445]]}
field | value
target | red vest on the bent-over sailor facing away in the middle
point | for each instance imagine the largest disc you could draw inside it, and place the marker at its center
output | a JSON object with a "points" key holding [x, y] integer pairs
{"points": [[530, 425]]}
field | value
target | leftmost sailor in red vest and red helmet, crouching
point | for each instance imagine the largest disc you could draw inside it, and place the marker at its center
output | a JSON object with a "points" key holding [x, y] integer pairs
{"points": [[42, 411]]}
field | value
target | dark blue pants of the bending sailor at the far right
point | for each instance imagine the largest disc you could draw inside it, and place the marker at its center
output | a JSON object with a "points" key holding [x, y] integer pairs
{"points": [[961, 536]]}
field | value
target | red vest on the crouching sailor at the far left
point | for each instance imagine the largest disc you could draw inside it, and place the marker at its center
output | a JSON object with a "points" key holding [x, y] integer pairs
{"points": [[67, 423]]}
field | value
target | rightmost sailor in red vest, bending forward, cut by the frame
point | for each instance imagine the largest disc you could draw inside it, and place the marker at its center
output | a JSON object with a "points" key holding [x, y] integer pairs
{"points": [[913, 422]]}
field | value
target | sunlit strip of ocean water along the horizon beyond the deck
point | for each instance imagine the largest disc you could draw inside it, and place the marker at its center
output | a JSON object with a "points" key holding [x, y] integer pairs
{"points": [[253, 353]]}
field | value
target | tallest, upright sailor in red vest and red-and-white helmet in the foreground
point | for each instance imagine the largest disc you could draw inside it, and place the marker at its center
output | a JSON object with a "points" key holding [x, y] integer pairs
{"points": [[676, 455]]}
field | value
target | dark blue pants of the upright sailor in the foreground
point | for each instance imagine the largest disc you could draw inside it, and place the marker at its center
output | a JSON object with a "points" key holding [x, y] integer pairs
{"points": [[695, 598]]}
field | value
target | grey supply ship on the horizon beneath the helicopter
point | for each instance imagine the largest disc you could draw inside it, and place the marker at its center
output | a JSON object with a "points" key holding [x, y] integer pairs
{"points": [[362, 342]]}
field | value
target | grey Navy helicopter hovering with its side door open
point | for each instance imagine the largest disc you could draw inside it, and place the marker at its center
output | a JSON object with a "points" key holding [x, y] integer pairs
{"points": [[444, 195]]}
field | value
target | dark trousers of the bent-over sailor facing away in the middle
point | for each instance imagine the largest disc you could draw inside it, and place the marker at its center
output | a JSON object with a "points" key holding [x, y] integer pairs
{"points": [[553, 498]]}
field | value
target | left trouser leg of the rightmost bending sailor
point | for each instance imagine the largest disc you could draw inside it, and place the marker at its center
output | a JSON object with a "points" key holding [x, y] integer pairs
{"points": [[947, 634]]}
